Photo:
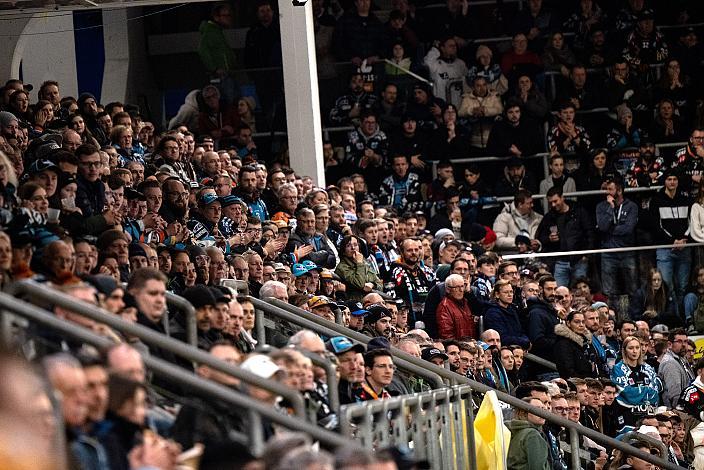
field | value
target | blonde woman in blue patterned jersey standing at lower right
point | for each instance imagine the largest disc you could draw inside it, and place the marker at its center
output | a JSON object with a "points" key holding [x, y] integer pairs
{"points": [[637, 383]]}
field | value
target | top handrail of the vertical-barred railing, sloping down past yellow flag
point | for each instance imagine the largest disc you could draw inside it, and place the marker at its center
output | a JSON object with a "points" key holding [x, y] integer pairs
{"points": [[383, 407]]}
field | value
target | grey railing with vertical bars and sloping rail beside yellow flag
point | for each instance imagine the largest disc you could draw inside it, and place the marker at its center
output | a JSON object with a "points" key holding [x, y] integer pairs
{"points": [[439, 426]]}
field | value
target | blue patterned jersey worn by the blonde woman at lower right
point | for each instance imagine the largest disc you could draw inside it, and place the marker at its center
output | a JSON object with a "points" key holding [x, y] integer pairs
{"points": [[631, 394]]}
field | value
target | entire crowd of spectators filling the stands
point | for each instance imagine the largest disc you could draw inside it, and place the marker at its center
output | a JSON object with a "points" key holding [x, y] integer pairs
{"points": [[102, 205]]}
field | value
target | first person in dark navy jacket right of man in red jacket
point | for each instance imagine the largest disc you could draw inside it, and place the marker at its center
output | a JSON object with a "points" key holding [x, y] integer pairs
{"points": [[501, 315]]}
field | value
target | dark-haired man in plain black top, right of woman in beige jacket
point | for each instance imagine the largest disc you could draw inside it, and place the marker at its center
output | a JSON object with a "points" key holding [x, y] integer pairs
{"points": [[515, 134]]}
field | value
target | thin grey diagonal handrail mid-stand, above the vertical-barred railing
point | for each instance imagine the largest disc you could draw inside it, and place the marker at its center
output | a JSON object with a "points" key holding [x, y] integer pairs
{"points": [[308, 320]]}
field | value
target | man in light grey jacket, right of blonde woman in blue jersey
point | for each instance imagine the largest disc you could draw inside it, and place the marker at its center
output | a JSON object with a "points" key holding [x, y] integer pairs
{"points": [[674, 372]]}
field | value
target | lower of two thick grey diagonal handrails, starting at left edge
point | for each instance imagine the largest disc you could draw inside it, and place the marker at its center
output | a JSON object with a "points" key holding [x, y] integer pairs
{"points": [[170, 371]]}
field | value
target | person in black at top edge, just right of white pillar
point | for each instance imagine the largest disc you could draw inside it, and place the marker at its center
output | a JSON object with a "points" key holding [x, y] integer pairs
{"points": [[359, 35]]}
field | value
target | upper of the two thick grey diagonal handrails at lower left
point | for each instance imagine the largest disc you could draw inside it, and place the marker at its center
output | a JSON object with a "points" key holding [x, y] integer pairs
{"points": [[151, 337]]}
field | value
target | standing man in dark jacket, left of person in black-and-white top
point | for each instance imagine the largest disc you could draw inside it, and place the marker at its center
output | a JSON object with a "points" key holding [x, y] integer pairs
{"points": [[616, 220]]}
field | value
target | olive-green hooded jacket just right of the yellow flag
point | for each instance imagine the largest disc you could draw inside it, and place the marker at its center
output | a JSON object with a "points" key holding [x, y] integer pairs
{"points": [[528, 449]]}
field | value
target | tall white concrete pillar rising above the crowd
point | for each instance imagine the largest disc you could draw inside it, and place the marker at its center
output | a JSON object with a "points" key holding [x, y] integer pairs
{"points": [[305, 138]]}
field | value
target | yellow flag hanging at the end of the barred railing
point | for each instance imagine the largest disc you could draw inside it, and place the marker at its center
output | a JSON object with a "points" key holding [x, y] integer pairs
{"points": [[491, 437]]}
